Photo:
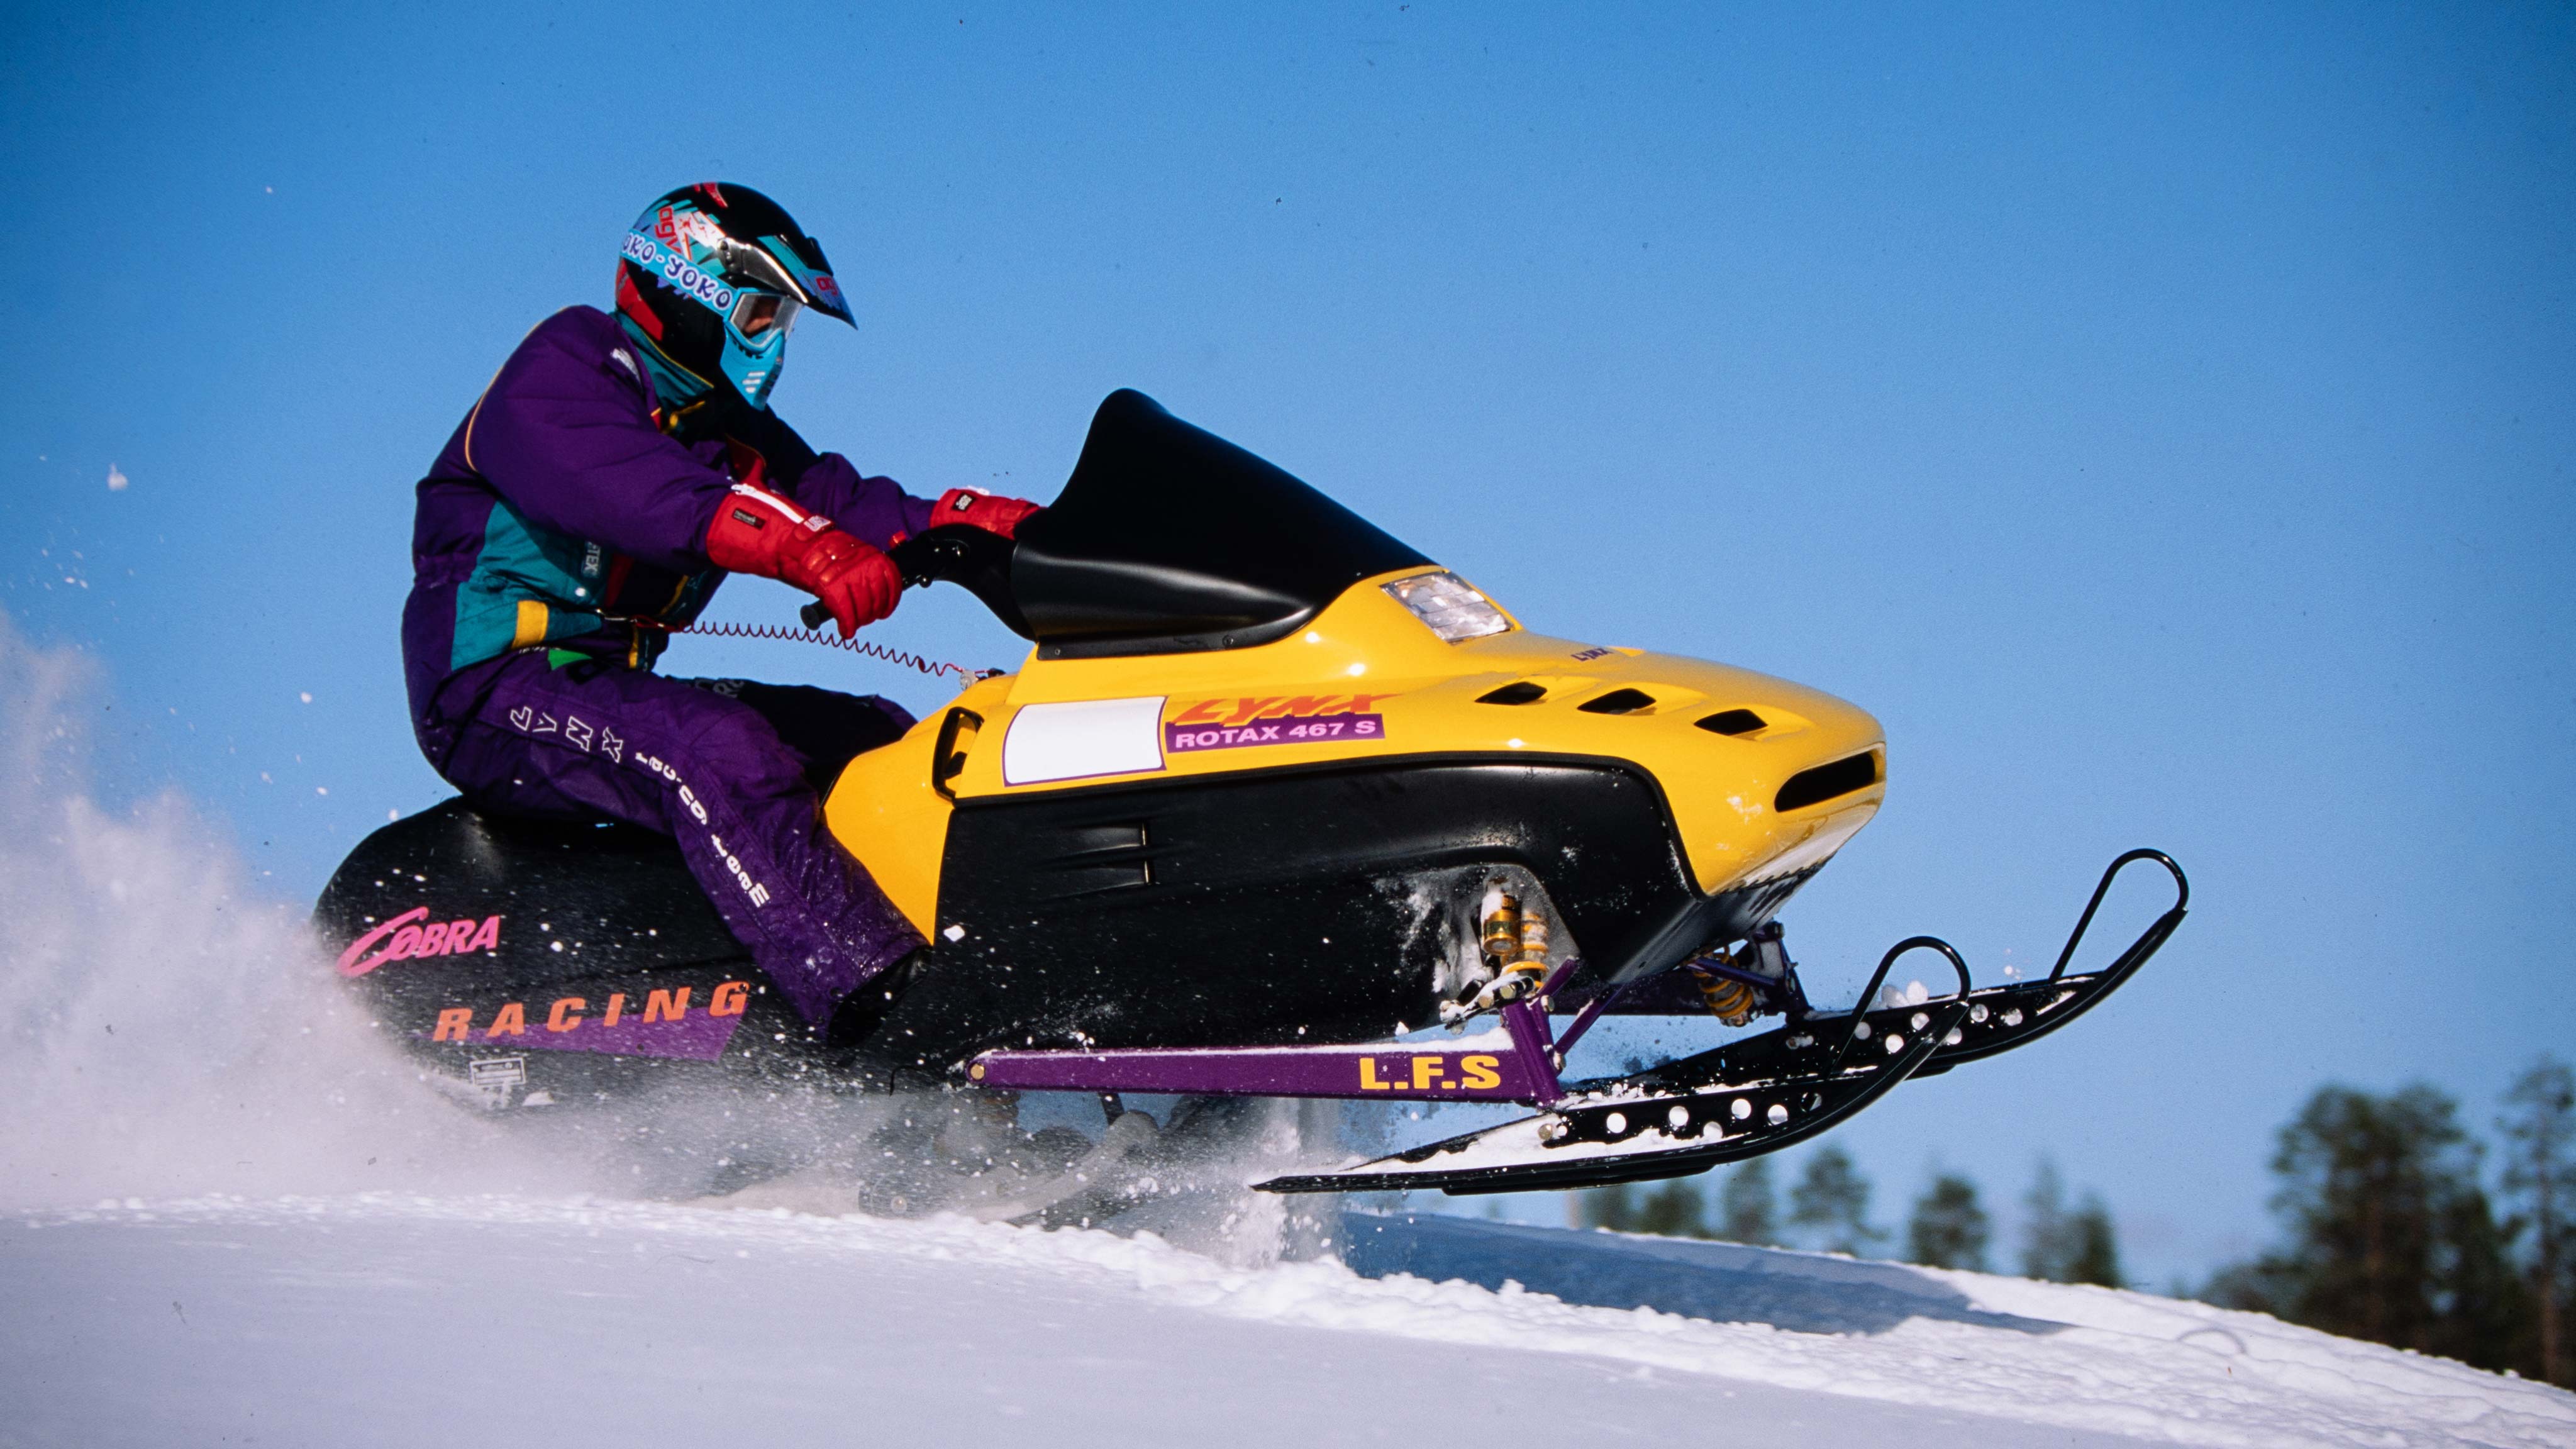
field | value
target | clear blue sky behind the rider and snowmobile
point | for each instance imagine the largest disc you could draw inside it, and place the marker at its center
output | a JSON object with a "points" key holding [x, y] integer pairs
{"points": [[2163, 422]]}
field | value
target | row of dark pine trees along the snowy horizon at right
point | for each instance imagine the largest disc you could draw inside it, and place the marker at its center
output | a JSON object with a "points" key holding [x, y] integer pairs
{"points": [[2387, 1226]]}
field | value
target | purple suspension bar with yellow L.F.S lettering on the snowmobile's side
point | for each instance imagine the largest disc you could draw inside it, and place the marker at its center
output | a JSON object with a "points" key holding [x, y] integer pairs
{"points": [[1511, 1064]]}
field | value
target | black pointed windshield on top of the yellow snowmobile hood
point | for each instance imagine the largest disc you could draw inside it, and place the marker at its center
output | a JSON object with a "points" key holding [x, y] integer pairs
{"points": [[1173, 540]]}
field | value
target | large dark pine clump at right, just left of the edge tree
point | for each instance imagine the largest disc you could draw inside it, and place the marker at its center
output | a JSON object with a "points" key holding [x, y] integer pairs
{"points": [[2389, 1234]]}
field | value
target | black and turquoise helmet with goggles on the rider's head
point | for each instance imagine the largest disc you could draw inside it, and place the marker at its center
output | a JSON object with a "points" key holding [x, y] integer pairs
{"points": [[712, 280]]}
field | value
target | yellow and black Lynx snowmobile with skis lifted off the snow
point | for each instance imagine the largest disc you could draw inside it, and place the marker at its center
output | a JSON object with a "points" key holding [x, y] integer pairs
{"points": [[1276, 806]]}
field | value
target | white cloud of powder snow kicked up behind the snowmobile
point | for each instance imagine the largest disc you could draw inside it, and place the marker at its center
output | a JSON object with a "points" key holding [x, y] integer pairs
{"points": [[164, 1027]]}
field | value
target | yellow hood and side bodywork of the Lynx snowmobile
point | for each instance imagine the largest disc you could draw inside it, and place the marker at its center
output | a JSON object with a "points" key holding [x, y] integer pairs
{"points": [[1423, 692]]}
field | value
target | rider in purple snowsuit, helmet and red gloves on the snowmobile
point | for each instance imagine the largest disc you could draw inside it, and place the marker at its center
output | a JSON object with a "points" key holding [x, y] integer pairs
{"points": [[591, 501]]}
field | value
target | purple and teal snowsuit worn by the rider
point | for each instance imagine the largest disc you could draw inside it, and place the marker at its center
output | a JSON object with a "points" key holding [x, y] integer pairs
{"points": [[558, 514]]}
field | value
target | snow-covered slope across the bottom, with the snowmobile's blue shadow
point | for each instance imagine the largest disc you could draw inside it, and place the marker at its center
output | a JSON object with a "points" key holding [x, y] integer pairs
{"points": [[509, 1321]]}
